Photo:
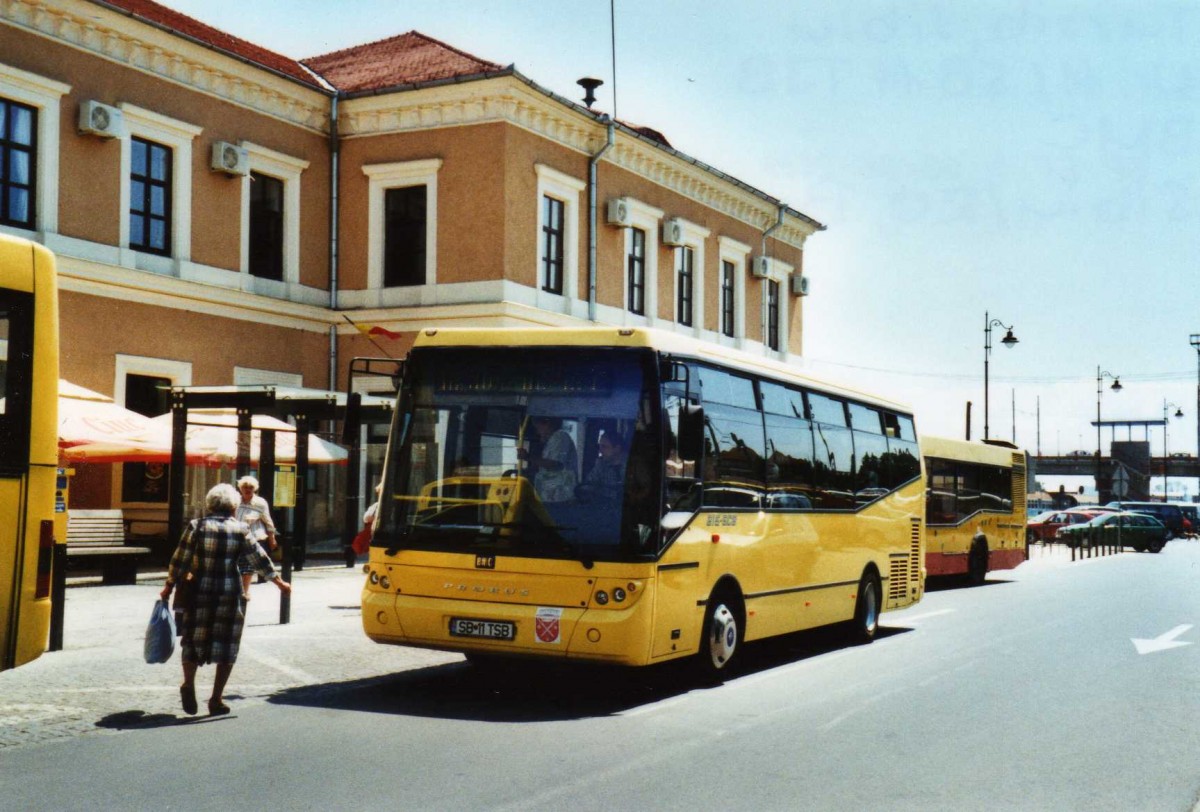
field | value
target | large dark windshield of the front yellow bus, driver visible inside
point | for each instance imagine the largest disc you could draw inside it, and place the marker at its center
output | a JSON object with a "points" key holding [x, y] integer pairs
{"points": [[544, 453]]}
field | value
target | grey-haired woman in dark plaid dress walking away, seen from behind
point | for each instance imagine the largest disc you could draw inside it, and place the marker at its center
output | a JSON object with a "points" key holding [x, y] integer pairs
{"points": [[211, 556]]}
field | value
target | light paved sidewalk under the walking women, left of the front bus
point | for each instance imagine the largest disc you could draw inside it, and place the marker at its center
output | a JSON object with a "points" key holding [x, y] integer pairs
{"points": [[100, 677]]}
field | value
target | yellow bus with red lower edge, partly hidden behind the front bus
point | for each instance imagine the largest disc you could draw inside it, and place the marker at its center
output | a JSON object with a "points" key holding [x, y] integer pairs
{"points": [[975, 510]]}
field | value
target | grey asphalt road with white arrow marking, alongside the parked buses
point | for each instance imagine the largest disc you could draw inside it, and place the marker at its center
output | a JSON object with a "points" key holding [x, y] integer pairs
{"points": [[1027, 694]]}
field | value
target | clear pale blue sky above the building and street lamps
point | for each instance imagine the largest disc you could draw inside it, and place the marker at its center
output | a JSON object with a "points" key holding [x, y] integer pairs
{"points": [[1036, 160]]}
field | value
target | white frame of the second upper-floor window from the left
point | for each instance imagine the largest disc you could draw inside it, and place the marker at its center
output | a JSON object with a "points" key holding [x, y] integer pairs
{"points": [[178, 136]]}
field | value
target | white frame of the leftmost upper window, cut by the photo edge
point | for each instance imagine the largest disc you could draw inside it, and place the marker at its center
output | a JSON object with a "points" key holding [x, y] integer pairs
{"points": [[46, 95]]}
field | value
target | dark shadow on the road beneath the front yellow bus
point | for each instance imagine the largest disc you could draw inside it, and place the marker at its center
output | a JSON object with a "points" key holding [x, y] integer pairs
{"points": [[508, 690]]}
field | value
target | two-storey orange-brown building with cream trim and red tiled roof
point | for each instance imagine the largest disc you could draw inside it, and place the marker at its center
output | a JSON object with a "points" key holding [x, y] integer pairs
{"points": [[227, 215]]}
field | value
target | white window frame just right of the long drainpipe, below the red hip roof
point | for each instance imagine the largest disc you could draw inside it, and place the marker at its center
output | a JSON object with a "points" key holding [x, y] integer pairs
{"points": [[381, 178]]}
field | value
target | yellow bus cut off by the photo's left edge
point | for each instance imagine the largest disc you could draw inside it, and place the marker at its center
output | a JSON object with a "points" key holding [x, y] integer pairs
{"points": [[29, 392]]}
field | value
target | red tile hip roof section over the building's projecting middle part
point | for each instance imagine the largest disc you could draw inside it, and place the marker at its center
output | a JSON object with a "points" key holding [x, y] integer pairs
{"points": [[407, 59]]}
